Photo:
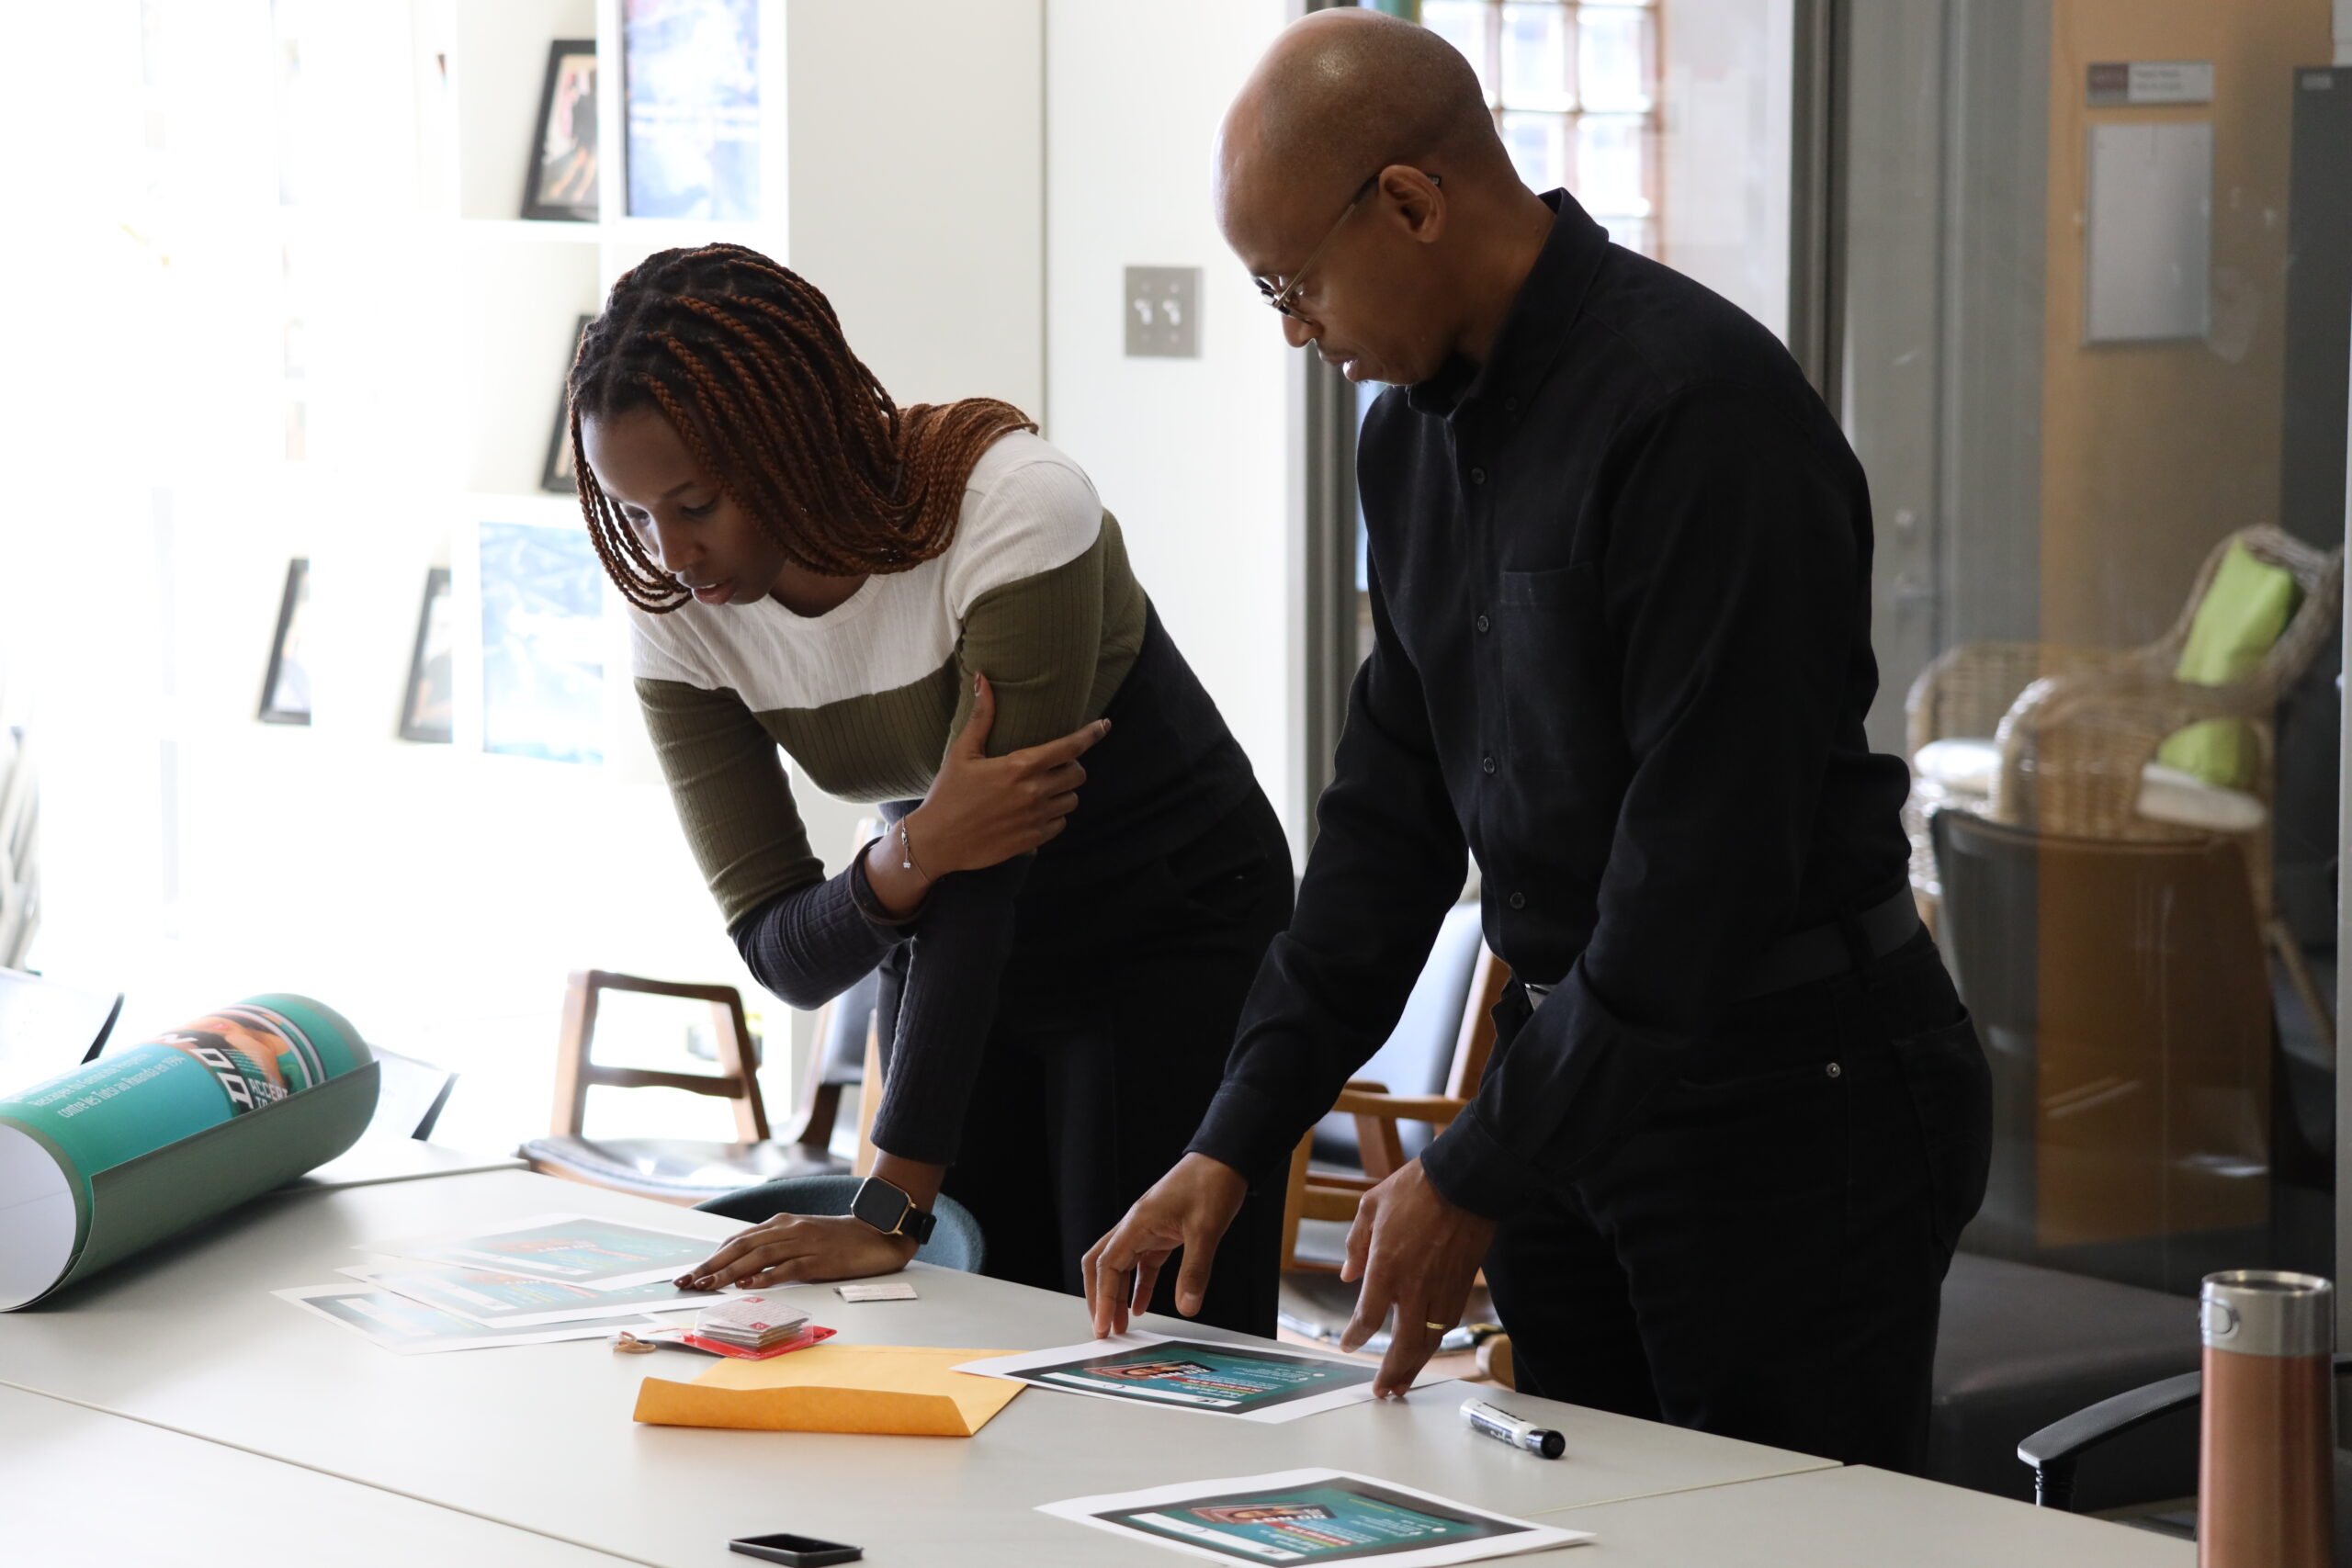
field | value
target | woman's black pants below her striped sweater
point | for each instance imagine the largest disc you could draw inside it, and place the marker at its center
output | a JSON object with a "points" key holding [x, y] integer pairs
{"points": [[1111, 1036]]}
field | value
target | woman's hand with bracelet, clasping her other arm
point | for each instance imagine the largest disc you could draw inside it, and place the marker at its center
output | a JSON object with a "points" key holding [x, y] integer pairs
{"points": [[982, 810]]}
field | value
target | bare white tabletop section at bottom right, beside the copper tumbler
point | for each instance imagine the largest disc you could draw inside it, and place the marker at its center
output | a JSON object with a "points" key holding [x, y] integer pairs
{"points": [[1857, 1520]]}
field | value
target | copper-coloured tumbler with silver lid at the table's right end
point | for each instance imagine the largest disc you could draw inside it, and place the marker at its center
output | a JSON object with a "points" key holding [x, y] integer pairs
{"points": [[2269, 1449]]}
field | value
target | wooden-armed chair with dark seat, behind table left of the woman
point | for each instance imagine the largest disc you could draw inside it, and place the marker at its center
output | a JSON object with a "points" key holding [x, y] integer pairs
{"points": [[676, 1170]]}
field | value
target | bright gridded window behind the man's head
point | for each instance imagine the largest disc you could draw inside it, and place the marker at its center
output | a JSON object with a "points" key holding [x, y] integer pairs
{"points": [[1575, 93]]}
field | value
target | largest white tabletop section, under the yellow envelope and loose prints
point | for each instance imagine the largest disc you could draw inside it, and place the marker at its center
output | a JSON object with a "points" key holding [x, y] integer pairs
{"points": [[542, 1438]]}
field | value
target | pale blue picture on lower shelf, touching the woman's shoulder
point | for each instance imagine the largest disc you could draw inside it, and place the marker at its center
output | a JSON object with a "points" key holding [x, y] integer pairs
{"points": [[542, 643]]}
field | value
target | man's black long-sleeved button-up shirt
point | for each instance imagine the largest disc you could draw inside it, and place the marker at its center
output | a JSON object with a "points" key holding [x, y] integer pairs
{"points": [[1622, 655]]}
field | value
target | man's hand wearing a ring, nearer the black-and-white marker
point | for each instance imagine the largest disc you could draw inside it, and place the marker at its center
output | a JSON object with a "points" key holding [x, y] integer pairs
{"points": [[1417, 1254]]}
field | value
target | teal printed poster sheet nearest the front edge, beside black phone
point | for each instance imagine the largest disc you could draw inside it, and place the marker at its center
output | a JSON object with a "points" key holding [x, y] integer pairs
{"points": [[1311, 1517]]}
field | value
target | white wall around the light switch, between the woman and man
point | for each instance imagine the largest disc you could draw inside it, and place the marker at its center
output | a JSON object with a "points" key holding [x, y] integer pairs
{"points": [[1196, 457]]}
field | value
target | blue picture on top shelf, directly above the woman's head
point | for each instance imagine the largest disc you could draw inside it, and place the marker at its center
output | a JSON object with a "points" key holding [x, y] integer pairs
{"points": [[690, 79]]}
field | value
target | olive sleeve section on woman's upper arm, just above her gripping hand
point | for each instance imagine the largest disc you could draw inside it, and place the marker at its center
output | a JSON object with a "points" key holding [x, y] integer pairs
{"points": [[1055, 648]]}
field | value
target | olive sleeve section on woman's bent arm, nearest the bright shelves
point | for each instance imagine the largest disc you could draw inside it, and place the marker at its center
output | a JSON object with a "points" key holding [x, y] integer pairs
{"points": [[730, 793]]}
